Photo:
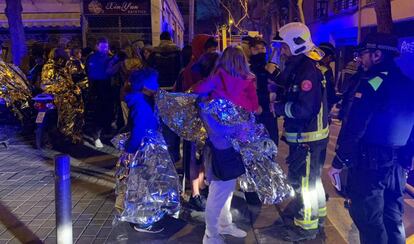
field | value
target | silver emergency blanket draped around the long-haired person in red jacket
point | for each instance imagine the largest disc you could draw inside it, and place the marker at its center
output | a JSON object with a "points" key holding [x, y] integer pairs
{"points": [[263, 174]]}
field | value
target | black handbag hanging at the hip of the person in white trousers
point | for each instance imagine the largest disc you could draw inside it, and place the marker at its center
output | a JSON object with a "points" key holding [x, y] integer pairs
{"points": [[227, 164]]}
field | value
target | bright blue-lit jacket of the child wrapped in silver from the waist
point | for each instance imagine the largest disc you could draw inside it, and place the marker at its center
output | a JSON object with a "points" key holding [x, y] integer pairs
{"points": [[141, 117]]}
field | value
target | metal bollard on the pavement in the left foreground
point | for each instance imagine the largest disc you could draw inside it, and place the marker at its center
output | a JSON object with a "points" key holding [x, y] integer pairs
{"points": [[63, 200]]}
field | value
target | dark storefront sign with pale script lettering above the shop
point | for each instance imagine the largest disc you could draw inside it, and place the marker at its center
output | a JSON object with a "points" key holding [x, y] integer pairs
{"points": [[116, 7]]}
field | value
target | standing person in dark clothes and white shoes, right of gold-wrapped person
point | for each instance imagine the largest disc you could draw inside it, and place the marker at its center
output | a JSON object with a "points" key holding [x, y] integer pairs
{"points": [[100, 87]]}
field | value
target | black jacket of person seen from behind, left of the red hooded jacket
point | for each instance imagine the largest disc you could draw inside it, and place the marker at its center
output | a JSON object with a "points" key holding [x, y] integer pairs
{"points": [[166, 60]]}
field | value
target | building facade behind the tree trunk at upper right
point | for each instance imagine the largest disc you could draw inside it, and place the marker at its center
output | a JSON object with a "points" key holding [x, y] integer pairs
{"points": [[341, 23]]}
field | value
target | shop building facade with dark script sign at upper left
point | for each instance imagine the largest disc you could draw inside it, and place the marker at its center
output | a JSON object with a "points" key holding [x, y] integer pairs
{"points": [[81, 22]]}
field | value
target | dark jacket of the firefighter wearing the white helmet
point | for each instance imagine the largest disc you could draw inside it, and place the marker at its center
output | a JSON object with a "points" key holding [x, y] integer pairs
{"points": [[304, 105]]}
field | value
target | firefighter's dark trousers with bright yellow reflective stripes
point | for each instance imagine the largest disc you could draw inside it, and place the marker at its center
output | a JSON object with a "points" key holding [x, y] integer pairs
{"points": [[305, 167]]}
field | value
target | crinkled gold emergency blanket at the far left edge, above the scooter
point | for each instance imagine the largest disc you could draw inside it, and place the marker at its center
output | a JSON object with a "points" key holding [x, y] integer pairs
{"points": [[14, 88]]}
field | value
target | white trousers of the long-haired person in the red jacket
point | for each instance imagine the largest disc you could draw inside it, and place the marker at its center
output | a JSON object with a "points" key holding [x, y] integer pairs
{"points": [[218, 206]]}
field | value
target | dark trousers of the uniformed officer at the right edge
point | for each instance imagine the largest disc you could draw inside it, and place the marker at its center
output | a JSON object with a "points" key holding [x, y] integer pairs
{"points": [[377, 205]]}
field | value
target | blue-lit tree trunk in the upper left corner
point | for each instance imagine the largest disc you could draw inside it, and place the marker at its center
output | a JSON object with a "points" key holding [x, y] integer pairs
{"points": [[14, 11]]}
